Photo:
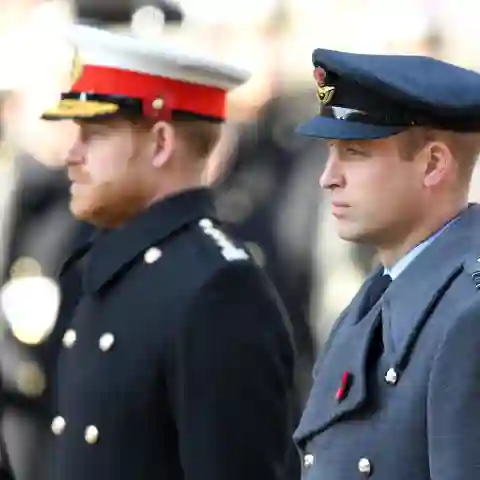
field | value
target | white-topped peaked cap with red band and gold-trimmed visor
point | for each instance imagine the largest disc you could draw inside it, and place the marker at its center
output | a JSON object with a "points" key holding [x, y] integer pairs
{"points": [[112, 72]]}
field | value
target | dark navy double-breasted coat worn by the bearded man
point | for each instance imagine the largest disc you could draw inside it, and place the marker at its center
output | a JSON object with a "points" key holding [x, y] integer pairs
{"points": [[178, 361]]}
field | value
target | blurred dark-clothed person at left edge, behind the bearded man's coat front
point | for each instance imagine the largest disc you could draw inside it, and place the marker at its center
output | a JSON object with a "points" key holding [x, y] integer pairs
{"points": [[41, 234]]}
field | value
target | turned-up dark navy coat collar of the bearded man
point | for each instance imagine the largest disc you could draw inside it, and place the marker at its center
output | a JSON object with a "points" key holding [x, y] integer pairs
{"points": [[113, 249]]}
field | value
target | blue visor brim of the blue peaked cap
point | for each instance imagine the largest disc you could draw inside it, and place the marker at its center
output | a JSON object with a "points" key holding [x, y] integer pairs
{"points": [[334, 129]]}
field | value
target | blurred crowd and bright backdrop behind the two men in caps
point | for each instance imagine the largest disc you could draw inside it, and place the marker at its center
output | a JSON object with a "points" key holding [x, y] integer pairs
{"points": [[265, 178]]}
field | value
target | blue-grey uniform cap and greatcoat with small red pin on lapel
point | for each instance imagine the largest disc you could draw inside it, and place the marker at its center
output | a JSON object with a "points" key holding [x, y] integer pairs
{"points": [[397, 386]]}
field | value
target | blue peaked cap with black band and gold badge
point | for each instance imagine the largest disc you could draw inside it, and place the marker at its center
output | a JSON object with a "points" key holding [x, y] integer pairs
{"points": [[373, 96]]}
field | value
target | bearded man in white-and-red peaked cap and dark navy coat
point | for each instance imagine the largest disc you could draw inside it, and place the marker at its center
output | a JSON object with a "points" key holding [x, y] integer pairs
{"points": [[178, 361]]}
